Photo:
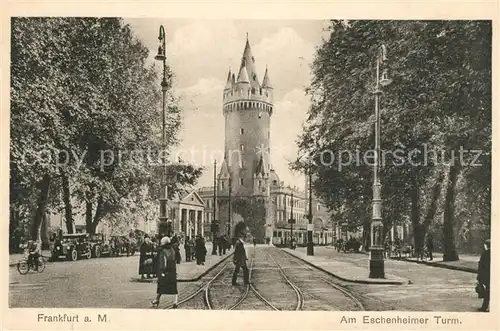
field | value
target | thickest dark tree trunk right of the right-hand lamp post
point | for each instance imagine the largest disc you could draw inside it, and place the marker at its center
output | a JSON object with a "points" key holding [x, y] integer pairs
{"points": [[450, 252]]}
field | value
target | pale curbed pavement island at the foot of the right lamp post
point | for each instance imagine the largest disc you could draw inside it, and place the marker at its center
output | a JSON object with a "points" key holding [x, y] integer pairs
{"points": [[343, 270]]}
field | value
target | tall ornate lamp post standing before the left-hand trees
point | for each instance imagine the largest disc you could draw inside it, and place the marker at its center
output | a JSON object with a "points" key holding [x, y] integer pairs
{"points": [[165, 227]]}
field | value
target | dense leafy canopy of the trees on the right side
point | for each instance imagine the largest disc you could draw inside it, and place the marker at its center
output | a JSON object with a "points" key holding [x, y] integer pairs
{"points": [[439, 101]]}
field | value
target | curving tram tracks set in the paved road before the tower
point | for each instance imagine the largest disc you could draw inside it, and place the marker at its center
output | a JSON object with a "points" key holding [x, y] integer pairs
{"points": [[308, 292]]}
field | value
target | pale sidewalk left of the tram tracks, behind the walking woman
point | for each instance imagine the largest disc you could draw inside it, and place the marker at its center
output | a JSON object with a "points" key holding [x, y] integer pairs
{"points": [[190, 271]]}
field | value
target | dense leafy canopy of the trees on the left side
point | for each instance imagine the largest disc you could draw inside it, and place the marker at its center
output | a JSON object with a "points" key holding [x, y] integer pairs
{"points": [[86, 122]]}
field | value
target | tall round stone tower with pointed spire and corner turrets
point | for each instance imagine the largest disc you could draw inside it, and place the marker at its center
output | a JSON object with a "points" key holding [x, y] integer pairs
{"points": [[247, 108]]}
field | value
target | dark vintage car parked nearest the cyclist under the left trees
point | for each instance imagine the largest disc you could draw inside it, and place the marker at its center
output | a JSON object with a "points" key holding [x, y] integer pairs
{"points": [[72, 247]]}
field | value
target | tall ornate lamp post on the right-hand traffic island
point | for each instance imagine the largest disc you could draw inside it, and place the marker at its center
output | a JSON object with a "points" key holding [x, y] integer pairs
{"points": [[377, 247]]}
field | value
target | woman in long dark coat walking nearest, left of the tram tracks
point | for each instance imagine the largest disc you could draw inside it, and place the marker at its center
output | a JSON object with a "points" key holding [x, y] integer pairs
{"points": [[167, 273]]}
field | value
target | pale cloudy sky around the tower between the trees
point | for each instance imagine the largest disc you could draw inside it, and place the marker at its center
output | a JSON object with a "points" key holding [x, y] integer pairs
{"points": [[200, 53]]}
